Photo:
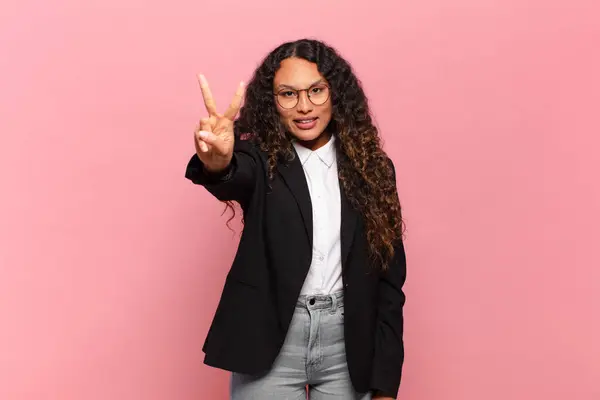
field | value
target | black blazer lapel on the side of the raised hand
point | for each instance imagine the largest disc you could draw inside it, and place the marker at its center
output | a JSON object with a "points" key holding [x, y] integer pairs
{"points": [[293, 176]]}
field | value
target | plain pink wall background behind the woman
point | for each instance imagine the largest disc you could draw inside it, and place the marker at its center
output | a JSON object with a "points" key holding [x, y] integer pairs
{"points": [[112, 263]]}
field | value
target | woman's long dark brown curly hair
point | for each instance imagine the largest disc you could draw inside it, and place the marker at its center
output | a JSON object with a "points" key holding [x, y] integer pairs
{"points": [[365, 172]]}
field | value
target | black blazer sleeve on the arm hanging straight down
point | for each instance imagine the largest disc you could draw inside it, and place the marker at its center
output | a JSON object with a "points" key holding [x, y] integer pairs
{"points": [[389, 330]]}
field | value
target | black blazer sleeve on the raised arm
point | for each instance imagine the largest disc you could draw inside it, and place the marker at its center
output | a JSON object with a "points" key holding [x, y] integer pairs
{"points": [[236, 183]]}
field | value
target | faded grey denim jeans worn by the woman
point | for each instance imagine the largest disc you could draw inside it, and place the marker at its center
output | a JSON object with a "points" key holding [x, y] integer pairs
{"points": [[312, 358]]}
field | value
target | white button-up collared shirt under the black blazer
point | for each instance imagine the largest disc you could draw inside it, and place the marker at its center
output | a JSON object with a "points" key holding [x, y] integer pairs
{"points": [[320, 170]]}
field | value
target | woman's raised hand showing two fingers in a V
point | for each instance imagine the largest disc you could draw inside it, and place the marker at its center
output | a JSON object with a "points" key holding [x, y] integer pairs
{"points": [[214, 137]]}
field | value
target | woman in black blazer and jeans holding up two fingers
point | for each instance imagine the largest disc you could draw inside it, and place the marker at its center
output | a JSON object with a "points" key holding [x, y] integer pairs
{"points": [[314, 299]]}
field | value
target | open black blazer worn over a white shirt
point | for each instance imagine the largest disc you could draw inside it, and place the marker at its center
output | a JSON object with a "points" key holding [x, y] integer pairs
{"points": [[270, 266]]}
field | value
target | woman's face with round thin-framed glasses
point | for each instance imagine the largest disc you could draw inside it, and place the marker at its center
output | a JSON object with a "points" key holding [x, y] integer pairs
{"points": [[298, 80]]}
